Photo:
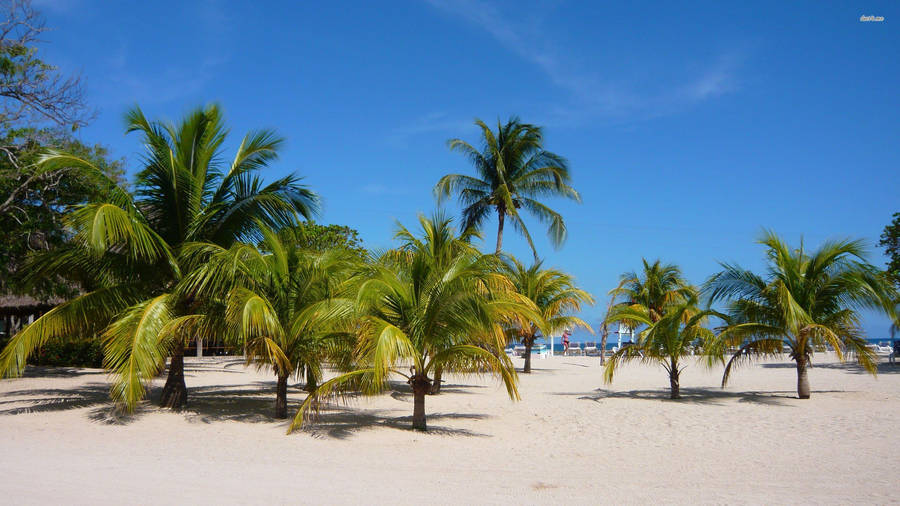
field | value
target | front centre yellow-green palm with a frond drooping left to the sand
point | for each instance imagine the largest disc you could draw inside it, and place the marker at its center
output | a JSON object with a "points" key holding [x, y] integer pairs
{"points": [[422, 311]]}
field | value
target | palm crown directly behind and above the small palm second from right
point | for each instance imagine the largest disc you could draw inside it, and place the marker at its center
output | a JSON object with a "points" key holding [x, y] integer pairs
{"points": [[651, 292]]}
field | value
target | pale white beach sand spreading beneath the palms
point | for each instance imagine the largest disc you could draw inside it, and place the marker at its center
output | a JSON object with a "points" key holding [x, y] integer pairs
{"points": [[570, 440]]}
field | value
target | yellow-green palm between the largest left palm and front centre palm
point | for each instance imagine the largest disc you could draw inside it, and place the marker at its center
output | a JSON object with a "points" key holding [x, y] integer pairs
{"points": [[283, 306]]}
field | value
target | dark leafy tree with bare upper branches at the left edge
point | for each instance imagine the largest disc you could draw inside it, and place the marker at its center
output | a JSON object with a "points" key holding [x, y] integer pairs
{"points": [[39, 108]]}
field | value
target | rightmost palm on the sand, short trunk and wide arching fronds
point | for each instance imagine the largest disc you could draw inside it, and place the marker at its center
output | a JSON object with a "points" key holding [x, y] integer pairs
{"points": [[805, 300]]}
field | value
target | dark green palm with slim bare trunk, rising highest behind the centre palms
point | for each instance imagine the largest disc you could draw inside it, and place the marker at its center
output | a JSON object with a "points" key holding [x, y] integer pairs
{"points": [[513, 171]]}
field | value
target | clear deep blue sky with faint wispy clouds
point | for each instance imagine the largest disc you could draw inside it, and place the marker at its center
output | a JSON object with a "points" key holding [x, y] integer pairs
{"points": [[688, 128]]}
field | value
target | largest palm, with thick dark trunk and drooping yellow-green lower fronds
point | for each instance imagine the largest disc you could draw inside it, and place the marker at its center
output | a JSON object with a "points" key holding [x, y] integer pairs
{"points": [[129, 249]]}
